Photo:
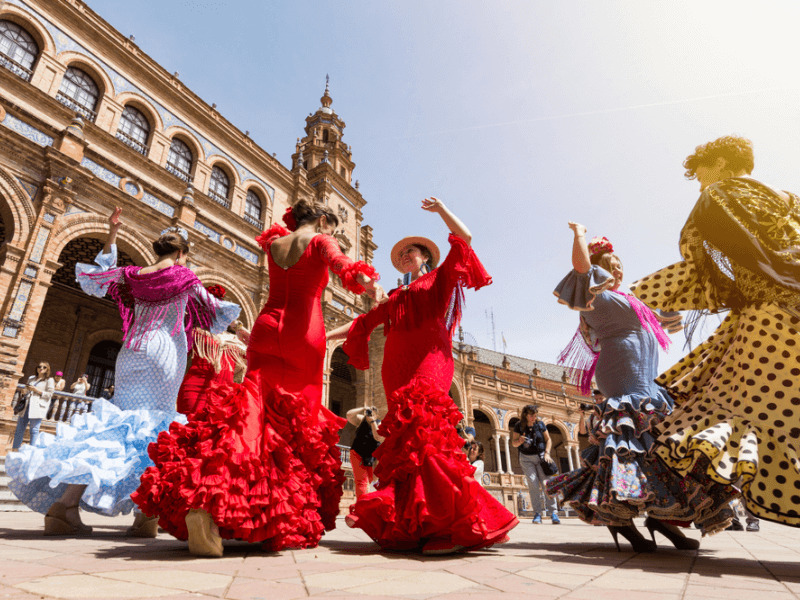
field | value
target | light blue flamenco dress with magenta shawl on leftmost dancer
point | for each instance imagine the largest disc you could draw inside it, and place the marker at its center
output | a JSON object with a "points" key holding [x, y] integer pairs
{"points": [[106, 449]]}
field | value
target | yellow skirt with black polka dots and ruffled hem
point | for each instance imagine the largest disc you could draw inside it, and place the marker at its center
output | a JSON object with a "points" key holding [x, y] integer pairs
{"points": [[738, 410]]}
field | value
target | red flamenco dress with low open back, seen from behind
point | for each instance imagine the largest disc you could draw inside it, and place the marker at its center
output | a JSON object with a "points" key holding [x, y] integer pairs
{"points": [[262, 459]]}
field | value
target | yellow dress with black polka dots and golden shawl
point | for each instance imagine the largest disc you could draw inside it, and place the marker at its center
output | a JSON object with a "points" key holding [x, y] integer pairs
{"points": [[737, 409]]}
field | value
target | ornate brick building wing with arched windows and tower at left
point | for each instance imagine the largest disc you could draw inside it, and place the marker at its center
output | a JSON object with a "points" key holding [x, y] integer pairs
{"points": [[88, 121]]}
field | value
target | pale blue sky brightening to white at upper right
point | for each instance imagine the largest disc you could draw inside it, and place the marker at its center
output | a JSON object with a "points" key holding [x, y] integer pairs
{"points": [[521, 116]]}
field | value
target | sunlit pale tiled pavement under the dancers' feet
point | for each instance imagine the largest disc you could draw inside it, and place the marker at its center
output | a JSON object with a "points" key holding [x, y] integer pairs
{"points": [[569, 561]]}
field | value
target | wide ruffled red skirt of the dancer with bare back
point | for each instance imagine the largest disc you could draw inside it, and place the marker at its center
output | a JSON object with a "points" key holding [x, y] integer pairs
{"points": [[255, 462]]}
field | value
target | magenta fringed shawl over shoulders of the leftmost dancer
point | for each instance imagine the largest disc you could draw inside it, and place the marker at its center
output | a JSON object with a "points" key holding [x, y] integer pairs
{"points": [[154, 294]]}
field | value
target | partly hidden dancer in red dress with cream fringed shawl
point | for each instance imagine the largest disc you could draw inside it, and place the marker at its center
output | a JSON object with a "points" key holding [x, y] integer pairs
{"points": [[216, 358]]}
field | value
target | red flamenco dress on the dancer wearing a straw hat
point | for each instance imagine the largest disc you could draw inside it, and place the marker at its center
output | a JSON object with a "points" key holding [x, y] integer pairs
{"points": [[427, 497]]}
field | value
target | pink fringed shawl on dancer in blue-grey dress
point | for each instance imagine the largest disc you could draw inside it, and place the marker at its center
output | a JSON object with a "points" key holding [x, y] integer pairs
{"points": [[581, 354]]}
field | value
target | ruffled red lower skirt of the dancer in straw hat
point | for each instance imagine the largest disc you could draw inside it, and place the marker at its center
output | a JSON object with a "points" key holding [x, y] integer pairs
{"points": [[426, 490]]}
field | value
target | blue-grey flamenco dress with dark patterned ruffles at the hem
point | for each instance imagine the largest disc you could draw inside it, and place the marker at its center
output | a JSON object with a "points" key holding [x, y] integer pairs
{"points": [[619, 478]]}
